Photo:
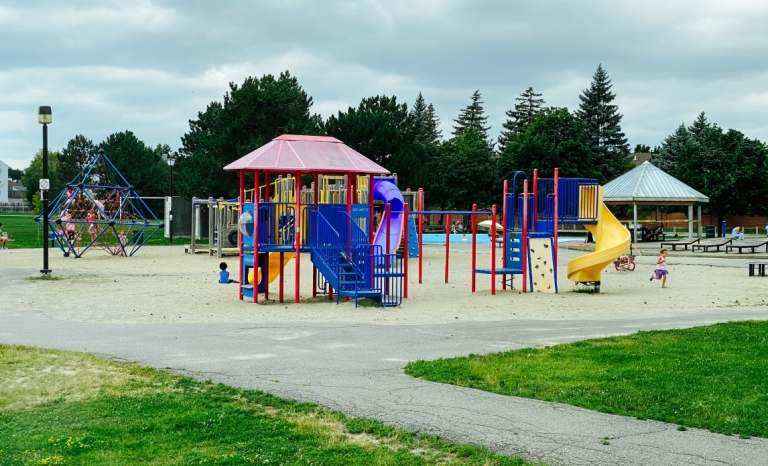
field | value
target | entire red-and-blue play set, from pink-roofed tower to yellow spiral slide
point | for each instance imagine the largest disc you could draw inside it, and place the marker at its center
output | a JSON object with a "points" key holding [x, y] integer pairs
{"points": [[355, 256]]}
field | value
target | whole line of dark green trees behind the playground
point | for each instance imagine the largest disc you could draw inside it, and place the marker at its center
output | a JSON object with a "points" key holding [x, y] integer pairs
{"points": [[456, 171]]}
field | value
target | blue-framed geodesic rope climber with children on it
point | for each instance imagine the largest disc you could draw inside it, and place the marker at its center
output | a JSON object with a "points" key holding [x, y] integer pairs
{"points": [[100, 209]]}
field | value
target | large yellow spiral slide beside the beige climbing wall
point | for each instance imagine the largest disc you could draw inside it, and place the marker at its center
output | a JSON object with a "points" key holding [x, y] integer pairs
{"points": [[612, 240]]}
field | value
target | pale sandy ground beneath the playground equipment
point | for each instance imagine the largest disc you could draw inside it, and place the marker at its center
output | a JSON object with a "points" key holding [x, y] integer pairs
{"points": [[163, 284]]}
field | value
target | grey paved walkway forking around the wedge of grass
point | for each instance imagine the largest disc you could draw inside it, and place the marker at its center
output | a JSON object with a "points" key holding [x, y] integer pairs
{"points": [[357, 369]]}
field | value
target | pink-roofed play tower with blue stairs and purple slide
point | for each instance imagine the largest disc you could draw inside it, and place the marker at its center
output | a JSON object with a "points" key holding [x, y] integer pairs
{"points": [[333, 220]]}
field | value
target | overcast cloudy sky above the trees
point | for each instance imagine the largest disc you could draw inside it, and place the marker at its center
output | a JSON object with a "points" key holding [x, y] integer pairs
{"points": [[150, 66]]}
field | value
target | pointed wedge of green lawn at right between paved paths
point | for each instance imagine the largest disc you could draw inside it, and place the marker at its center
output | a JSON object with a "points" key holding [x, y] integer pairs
{"points": [[713, 377]]}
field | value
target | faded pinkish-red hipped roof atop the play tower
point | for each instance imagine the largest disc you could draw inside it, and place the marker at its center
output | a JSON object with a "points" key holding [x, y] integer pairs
{"points": [[292, 153]]}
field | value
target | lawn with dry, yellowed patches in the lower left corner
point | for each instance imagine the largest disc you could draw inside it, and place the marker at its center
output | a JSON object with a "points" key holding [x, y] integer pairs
{"points": [[67, 408]]}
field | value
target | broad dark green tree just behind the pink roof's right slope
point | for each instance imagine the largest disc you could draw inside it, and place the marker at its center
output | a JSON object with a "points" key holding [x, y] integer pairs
{"points": [[382, 130]]}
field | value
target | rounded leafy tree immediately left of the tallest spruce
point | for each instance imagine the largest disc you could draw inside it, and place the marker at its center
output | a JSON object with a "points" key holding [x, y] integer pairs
{"points": [[554, 139]]}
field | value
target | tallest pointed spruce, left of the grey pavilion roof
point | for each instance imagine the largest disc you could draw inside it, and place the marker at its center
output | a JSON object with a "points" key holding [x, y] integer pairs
{"points": [[602, 121]]}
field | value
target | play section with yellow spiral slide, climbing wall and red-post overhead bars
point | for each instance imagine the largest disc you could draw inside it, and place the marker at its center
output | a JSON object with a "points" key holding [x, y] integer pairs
{"points": [[530, 236]]}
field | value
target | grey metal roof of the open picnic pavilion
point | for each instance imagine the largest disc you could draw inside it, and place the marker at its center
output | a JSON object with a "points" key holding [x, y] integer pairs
{"points": [[647, 184]]}
